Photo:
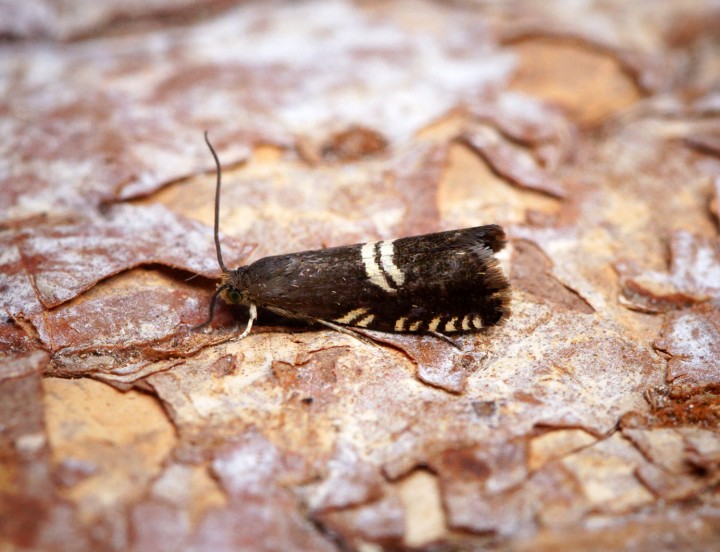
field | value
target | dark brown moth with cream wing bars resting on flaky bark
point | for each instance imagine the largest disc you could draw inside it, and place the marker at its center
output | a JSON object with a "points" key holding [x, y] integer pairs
{"points": [[442, 283]]}
